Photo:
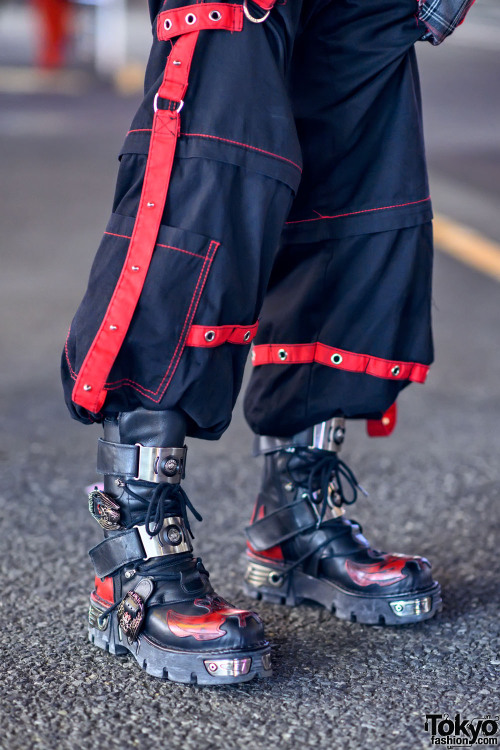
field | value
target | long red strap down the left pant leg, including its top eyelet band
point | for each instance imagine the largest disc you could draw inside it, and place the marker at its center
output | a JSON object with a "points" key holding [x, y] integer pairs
{"points": [[89, 390]]}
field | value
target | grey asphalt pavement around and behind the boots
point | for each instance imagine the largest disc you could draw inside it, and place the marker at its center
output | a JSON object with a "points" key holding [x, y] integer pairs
{"points": [[434, 486]]}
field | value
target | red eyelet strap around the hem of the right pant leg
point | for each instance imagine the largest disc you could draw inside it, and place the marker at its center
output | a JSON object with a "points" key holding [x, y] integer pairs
{"points": [[291, 354]]}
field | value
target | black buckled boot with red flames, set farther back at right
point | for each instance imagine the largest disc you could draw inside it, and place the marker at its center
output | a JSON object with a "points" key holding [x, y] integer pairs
{"points": [[300, 546]]}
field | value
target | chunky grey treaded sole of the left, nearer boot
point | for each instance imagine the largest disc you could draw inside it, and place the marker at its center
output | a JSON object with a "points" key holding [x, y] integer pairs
{"points": [[207, 668]]}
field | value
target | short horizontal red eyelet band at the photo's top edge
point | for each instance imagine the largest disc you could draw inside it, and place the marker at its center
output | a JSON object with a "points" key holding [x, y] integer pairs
{"points": [[198, 17]]}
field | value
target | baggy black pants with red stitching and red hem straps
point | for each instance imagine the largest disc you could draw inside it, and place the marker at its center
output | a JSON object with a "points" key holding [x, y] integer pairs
{"points": [[299, 199]]}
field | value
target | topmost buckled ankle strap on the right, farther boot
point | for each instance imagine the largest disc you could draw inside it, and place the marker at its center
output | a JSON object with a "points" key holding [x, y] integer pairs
{"points": [[326, 436]]}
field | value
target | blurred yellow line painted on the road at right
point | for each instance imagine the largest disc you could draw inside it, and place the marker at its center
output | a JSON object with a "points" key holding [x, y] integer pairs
{"points": [[467, 245]]}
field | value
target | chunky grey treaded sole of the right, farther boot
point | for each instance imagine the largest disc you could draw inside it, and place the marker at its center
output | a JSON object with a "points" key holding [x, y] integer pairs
{"points": [[270, 583]]}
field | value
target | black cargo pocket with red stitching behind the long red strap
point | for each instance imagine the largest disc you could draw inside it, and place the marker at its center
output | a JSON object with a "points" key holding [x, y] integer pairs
{"points": [[156, 337]]}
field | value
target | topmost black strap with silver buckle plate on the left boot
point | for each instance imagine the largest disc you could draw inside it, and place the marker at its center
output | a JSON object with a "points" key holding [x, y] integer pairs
{"points": [[149, 464]]}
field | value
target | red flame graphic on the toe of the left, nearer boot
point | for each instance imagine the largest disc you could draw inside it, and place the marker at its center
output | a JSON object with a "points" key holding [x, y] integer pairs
{"points": [[206, 627]]}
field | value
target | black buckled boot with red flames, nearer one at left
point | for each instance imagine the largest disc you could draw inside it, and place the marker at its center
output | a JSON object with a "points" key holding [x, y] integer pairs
{"points": [[152, 598]]}
